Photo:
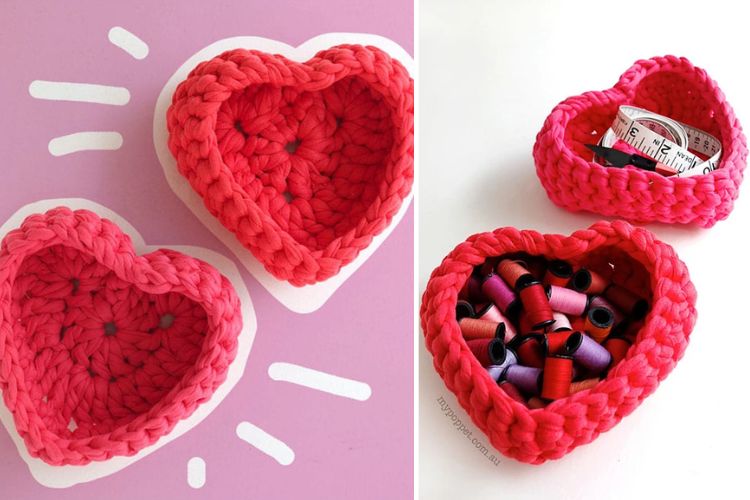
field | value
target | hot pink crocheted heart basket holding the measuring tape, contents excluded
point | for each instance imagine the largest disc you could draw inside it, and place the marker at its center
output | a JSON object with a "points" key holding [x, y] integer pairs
{"points": [[669, 86]]}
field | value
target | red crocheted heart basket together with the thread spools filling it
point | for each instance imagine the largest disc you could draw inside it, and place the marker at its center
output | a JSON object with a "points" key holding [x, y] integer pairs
{"points": [[506, 392]]}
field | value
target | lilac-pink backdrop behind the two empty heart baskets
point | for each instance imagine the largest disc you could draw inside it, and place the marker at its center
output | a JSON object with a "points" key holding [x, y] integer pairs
{"points": [[344, 448]]}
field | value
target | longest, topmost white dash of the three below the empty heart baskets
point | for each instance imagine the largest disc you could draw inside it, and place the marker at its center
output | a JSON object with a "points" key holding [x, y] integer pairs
{"points": [[320, 381]]}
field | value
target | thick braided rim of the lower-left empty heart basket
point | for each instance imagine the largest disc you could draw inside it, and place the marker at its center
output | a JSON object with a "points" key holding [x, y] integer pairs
{"points": [[158, 272]]}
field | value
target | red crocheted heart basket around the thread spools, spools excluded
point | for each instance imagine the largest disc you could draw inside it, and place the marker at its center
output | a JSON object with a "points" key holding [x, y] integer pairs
{"points": [[634, 259]]}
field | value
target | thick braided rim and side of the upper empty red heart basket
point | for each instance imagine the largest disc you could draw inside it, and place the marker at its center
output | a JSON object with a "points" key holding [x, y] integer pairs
{"points": [[280, 252]]}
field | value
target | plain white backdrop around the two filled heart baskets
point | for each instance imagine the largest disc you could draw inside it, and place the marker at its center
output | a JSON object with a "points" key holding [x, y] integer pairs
{"points": [[490, 72]]}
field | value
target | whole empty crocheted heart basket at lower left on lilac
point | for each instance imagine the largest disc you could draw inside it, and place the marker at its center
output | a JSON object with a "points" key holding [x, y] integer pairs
{"points": [[102, 351]]}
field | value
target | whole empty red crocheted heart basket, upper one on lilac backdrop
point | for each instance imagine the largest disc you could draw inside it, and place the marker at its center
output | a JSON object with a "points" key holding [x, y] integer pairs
{"points": [[304, 162]]}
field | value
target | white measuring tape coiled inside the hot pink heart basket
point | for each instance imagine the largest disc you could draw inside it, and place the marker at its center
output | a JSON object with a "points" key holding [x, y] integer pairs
{"points": [[665, 140]]}
